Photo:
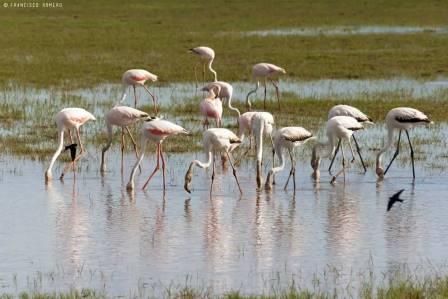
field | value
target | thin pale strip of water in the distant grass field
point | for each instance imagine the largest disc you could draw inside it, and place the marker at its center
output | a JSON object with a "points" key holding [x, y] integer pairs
{"points": [[347, 30]]}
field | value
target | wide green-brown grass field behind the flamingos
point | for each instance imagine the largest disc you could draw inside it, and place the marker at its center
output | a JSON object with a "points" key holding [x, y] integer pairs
{"points": [[90, 42]]}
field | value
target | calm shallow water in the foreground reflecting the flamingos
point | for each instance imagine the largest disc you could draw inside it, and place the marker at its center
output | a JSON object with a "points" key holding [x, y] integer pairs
{"points": [[88, 231]]}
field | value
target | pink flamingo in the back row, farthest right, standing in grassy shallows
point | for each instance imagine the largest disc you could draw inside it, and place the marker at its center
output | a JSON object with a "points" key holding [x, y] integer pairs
{"points": [[265, 71]]}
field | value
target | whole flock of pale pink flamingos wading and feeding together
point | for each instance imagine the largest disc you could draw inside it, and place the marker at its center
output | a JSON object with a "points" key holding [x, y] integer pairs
{"points": [[343, 123]]}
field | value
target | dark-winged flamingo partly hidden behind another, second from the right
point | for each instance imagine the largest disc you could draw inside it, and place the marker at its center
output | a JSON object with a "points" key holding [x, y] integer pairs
{"points": [[346, 110]]}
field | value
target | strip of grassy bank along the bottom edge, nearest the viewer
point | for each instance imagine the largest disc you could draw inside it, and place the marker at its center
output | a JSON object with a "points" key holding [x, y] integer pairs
{"points": [[396, 288]]}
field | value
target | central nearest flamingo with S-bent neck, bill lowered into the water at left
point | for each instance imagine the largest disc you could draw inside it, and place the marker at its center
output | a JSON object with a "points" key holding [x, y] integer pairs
{"points": [[215, 139]]}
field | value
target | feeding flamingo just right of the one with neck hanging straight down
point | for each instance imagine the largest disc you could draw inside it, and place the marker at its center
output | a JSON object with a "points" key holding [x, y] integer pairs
{"points": [[287, 138]]}
